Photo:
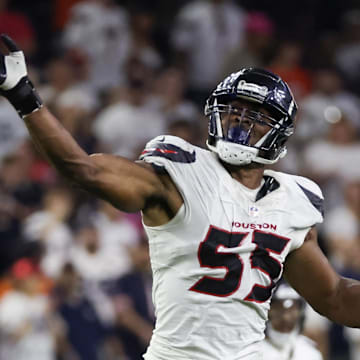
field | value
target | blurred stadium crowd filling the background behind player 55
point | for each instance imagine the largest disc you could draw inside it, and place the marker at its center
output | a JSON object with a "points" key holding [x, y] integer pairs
{"points": [[75, 273]]}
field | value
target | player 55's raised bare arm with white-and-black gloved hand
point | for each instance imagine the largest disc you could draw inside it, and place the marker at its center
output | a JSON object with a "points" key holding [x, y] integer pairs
{"points": [[125, 184]]}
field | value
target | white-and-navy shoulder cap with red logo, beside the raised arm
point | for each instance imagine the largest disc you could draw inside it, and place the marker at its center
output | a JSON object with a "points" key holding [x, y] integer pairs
{"points": [[171, 148]]}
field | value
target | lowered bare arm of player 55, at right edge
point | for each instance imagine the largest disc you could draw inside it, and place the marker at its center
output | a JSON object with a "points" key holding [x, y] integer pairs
{"points": [[310, 274]]}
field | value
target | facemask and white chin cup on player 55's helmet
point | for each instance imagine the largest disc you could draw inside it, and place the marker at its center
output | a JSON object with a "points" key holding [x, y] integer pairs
{"points": [[234, 134]]}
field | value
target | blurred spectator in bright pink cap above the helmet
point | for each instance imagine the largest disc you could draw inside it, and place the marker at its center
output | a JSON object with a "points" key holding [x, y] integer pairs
{"points": [[259, 38]]}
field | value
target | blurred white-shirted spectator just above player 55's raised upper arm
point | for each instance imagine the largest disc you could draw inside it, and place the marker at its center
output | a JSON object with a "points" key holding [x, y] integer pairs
{"points": [[130, 121]]}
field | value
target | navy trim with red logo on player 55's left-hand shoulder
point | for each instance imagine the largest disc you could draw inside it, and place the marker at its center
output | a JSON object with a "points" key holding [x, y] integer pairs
{"points": [[170, 152]]}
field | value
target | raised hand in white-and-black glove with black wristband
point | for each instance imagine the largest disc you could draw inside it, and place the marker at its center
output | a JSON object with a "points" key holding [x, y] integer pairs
{"points": [[14, 82]]}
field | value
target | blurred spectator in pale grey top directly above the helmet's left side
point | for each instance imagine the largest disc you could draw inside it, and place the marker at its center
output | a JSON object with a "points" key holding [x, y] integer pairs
{"points": [[205, 32]]}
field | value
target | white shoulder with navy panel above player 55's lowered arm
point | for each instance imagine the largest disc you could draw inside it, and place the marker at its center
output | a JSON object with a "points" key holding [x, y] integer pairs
{"points": [[300, 186]]}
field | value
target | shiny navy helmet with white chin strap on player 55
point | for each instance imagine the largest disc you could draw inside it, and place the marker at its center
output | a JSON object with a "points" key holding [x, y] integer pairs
{"points": [[271, 93]]}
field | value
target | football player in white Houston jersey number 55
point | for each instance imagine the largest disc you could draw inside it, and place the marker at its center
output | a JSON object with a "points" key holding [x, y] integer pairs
{"points": [[222, 230]]}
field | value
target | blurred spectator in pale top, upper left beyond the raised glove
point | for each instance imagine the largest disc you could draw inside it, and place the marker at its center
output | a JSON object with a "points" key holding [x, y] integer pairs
{"points": [[97, 28]]}
